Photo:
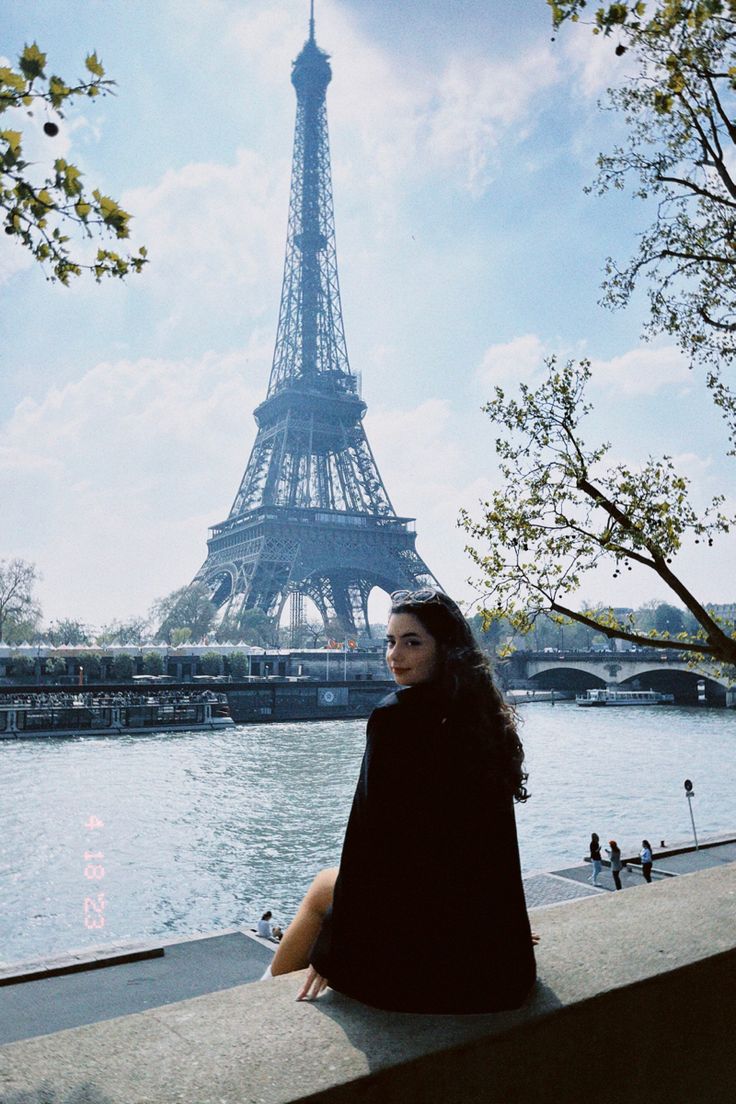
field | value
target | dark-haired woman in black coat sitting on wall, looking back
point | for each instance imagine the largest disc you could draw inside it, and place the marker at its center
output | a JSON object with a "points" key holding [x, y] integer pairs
{"points": [[432, 835]]}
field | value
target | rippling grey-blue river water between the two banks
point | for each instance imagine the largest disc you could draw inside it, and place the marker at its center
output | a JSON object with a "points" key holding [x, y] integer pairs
{"points": [[105, 840]]}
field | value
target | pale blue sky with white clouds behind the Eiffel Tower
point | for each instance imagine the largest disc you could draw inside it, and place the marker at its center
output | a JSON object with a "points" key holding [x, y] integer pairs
{"points": [[462, 137]]}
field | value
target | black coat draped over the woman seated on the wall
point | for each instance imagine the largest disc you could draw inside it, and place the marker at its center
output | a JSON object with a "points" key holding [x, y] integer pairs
{"points": [[429, 912]]}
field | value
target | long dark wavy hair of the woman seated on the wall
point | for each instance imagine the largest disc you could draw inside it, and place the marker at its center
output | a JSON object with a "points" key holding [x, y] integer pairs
{"points": [[467, 677]]}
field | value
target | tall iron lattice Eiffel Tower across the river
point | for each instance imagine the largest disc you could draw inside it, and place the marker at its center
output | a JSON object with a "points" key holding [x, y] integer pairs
{"points": [[312, 517]]}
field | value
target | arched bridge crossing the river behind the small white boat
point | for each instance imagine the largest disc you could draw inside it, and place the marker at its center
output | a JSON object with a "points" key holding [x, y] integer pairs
{"points": [[642, 670]]}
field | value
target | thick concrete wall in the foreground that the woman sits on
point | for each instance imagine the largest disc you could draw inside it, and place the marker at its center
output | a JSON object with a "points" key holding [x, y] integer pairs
{"points": [[635, 1004]]}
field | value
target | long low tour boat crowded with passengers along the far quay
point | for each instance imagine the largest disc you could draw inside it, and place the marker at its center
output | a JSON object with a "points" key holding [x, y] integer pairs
{"points": [[97, 715]]}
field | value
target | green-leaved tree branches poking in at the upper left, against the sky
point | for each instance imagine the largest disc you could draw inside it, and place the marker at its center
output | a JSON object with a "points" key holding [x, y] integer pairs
{"points": [[40, 213]]}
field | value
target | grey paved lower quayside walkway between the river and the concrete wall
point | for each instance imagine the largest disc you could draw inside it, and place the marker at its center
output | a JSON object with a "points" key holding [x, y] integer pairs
{"points": [[101, 984]]}
